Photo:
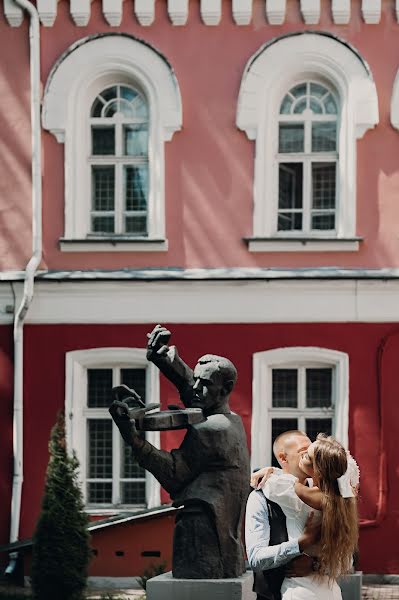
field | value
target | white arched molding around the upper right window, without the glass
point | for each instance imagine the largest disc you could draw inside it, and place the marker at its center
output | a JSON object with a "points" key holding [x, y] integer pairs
{"points": [[268, 76]]}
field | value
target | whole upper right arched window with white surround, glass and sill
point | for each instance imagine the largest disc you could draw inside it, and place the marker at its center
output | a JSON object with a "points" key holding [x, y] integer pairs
{"points": [[305, 98]]}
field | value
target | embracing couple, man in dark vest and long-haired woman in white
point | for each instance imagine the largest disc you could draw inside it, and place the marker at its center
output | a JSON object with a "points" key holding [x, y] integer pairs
{"points": [[301, 520]]}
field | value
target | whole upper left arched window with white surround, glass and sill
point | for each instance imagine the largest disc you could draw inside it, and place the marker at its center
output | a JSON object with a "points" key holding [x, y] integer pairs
{"points": [[114, 102]]}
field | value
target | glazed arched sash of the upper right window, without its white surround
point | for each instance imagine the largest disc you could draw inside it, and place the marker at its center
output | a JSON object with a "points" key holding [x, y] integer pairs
{"points": [[307, 157]]}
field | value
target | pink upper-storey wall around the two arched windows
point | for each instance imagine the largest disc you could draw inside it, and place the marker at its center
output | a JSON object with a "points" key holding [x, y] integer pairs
{"points": [[210, 163]]}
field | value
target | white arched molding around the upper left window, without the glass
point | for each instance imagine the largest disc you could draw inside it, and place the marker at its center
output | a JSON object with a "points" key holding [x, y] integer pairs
{"points": [[87, 68]]}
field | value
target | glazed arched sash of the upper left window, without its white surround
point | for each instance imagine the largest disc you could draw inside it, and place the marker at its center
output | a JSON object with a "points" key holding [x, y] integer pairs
{"points": [[119, 162]]}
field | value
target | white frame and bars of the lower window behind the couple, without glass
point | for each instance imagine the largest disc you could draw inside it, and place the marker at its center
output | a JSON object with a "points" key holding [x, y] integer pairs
{"points": [[299, 358]]}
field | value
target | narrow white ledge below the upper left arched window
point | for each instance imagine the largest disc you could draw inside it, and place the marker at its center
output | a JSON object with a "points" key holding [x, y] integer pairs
{"points": [[114, 244]]}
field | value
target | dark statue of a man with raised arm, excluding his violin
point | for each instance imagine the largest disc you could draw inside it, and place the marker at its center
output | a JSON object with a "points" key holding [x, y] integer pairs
{"points": [[207, 476]]}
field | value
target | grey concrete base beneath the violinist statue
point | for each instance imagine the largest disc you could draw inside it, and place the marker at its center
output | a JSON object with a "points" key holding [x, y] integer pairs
{"points": [[165, 587]]}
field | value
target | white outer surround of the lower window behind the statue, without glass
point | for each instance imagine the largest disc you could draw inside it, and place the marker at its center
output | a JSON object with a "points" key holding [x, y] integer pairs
{"points": [[76, 411]]}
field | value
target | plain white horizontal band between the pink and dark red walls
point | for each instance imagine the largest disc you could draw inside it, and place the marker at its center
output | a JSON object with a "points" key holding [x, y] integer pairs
{"points": [[207, 301]]}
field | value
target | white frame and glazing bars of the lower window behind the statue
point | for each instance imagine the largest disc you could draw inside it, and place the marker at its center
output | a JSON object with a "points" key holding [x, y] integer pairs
{"points": [[78, 414]]}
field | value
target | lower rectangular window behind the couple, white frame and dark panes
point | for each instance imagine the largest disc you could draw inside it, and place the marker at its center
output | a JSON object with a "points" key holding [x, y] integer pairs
{"points": [[305, 388]]}
